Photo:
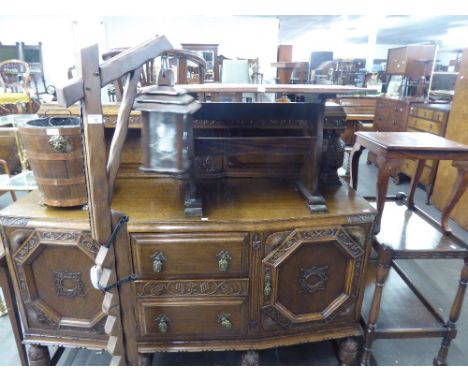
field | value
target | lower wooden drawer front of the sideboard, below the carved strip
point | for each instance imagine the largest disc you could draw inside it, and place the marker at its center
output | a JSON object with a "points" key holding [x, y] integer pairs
{"points": [[194, 317]]}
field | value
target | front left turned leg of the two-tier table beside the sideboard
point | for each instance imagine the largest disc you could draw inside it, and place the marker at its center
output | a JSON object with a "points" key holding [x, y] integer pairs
{"points": [[383, 269]]}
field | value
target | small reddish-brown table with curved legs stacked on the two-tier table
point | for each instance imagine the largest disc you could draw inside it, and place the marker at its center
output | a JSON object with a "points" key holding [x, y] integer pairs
{"points": [[391, 147]]}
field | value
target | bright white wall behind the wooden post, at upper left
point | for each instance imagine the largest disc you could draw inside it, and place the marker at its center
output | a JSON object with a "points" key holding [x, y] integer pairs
{"points": [[63, 36]]}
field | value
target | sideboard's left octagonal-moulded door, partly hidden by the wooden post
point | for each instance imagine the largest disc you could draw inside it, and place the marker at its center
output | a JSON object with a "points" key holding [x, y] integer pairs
{"points": [[53, 273]]}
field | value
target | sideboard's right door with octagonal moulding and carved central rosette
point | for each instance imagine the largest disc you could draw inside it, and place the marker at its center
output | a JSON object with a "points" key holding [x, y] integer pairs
{"points": [[311, 277]]}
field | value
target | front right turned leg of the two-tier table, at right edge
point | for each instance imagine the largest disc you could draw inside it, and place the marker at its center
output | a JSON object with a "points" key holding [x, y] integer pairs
{"points": [[441, 359]]}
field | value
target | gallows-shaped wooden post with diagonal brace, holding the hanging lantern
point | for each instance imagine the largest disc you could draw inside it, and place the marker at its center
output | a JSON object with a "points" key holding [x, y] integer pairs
{"points": [[100, 174]]}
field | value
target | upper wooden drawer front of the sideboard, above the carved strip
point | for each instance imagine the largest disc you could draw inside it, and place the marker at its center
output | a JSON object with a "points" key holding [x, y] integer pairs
{"points": [[161, 255]]}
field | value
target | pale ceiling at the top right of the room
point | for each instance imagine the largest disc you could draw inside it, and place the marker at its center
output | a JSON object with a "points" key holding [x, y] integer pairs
{"points": [[393, 30]]}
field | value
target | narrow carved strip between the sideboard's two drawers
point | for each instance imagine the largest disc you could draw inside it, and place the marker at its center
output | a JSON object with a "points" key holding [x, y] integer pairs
{"points": [[193, 288]]}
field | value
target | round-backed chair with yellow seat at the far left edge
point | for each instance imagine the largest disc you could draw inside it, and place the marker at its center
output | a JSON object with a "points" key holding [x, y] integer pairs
{"points": [[14, 81]]}
